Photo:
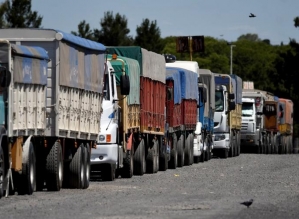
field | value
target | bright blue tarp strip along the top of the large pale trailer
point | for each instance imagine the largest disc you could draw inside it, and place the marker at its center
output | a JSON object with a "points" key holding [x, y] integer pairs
{"points": [[88, 44]]}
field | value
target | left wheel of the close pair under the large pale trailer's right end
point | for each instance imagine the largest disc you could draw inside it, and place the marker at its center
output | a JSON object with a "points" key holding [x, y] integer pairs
{"points": [[76, 169]]}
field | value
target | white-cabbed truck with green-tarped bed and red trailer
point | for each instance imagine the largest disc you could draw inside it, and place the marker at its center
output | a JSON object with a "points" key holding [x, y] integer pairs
{"points": [[139, 132]]}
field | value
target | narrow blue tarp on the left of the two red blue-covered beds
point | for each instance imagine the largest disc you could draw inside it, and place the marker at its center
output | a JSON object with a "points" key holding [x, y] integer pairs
{"points": [[174, 75]]}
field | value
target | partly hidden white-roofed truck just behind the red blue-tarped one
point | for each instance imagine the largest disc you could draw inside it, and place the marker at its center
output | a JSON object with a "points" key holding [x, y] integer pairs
{"points": [[204, 130]]}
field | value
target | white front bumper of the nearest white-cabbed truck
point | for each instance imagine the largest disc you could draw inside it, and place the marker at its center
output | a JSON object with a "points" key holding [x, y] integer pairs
{"points": [[104, 154]]}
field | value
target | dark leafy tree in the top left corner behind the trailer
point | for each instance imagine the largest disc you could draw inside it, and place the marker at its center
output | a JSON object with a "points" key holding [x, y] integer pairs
{"points": [[18, 14]]}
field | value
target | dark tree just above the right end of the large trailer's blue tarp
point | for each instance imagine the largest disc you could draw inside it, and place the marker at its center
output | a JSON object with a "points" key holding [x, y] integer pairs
{"points": [[114, 30]]}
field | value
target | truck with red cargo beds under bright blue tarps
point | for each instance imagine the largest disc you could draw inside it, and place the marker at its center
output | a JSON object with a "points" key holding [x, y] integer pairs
{"points": [[181, 114]]}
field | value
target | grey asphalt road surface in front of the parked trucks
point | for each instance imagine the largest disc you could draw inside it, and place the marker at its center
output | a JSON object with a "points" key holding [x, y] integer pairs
{"points": [[213, 189]]}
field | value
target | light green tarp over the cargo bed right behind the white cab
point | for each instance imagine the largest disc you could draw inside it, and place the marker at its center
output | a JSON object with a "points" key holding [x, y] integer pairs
{"points": [[132, 69]]}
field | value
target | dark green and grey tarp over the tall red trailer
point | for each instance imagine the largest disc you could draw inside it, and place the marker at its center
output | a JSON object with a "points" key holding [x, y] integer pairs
{"points": [[152, 64]]}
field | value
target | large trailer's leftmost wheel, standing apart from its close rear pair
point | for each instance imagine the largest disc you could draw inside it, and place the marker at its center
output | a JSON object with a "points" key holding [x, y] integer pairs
{"points": [[54, 168]]}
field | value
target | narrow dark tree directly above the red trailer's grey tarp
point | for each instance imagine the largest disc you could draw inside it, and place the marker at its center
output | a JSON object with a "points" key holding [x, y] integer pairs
{"points": [[149, 36]]}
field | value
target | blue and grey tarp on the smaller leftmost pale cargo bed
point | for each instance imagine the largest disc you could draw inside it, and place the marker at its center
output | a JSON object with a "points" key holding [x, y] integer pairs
{"points": [[30, 64]]}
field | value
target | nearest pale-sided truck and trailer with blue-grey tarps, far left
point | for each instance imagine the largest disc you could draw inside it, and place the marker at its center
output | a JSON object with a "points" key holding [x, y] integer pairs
{"points": [[52, 109]]}
